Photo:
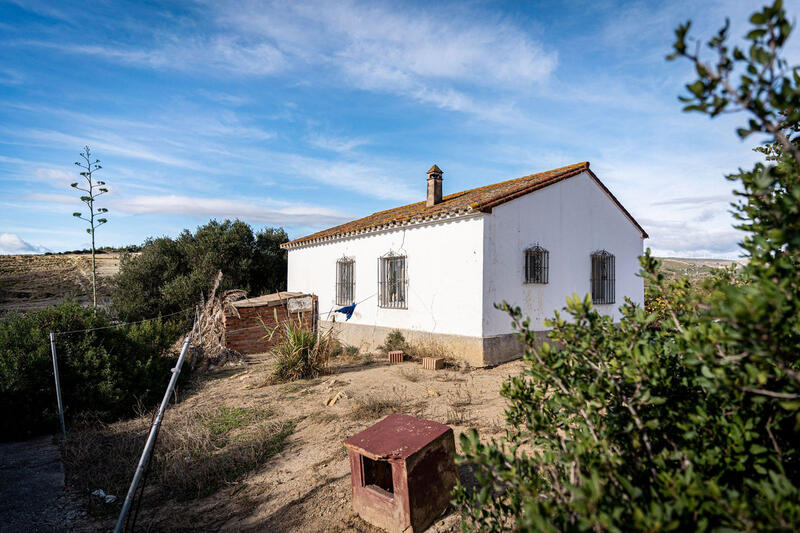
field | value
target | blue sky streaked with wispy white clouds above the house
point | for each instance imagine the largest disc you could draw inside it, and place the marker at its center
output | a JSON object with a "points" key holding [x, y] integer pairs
{"points": [[308, 114]]}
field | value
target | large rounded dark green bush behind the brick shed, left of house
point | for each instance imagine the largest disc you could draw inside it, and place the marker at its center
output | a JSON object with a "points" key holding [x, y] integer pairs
{"points": [[172, 274]]}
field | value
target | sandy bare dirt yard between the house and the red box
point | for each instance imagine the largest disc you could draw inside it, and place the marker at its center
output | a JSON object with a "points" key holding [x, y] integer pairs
{"points": [[306, 486]]}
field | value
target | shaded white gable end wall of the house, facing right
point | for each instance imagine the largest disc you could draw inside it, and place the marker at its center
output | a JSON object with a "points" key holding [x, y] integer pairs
{"points": [[571, 219]]}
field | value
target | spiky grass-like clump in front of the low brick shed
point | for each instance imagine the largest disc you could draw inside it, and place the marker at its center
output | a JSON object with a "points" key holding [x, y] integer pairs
{"points": [[300, 352]]}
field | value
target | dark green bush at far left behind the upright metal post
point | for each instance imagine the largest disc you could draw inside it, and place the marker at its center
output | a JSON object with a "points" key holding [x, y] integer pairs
{"points": [[104, 373]]}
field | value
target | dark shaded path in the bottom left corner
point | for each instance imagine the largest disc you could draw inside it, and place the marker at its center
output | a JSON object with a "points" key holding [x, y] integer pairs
{"points": [[32, 496]]}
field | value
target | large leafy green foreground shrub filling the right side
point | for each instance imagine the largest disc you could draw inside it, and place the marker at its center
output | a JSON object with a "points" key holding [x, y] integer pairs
{"points": [[685, 416]]}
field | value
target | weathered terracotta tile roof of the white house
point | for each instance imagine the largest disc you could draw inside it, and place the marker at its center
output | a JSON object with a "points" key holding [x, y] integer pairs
{"points": [[481, 199]]}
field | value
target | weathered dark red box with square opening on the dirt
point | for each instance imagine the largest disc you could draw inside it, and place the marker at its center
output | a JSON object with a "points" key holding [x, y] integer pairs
{"points": [[402, 472]]}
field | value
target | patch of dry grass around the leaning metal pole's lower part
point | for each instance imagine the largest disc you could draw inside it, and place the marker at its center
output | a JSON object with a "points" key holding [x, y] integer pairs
{"points": [[197, 452]]}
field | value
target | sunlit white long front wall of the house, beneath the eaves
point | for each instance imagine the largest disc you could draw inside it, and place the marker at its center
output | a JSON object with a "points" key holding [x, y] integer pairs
{"points": [[444, 270]]}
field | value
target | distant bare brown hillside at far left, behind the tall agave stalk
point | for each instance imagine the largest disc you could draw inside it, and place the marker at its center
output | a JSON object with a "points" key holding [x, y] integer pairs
{"points": [[33, 281]]}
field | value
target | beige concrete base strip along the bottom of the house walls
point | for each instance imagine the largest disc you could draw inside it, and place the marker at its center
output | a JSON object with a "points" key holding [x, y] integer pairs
{"points": [[477, 351]]}
